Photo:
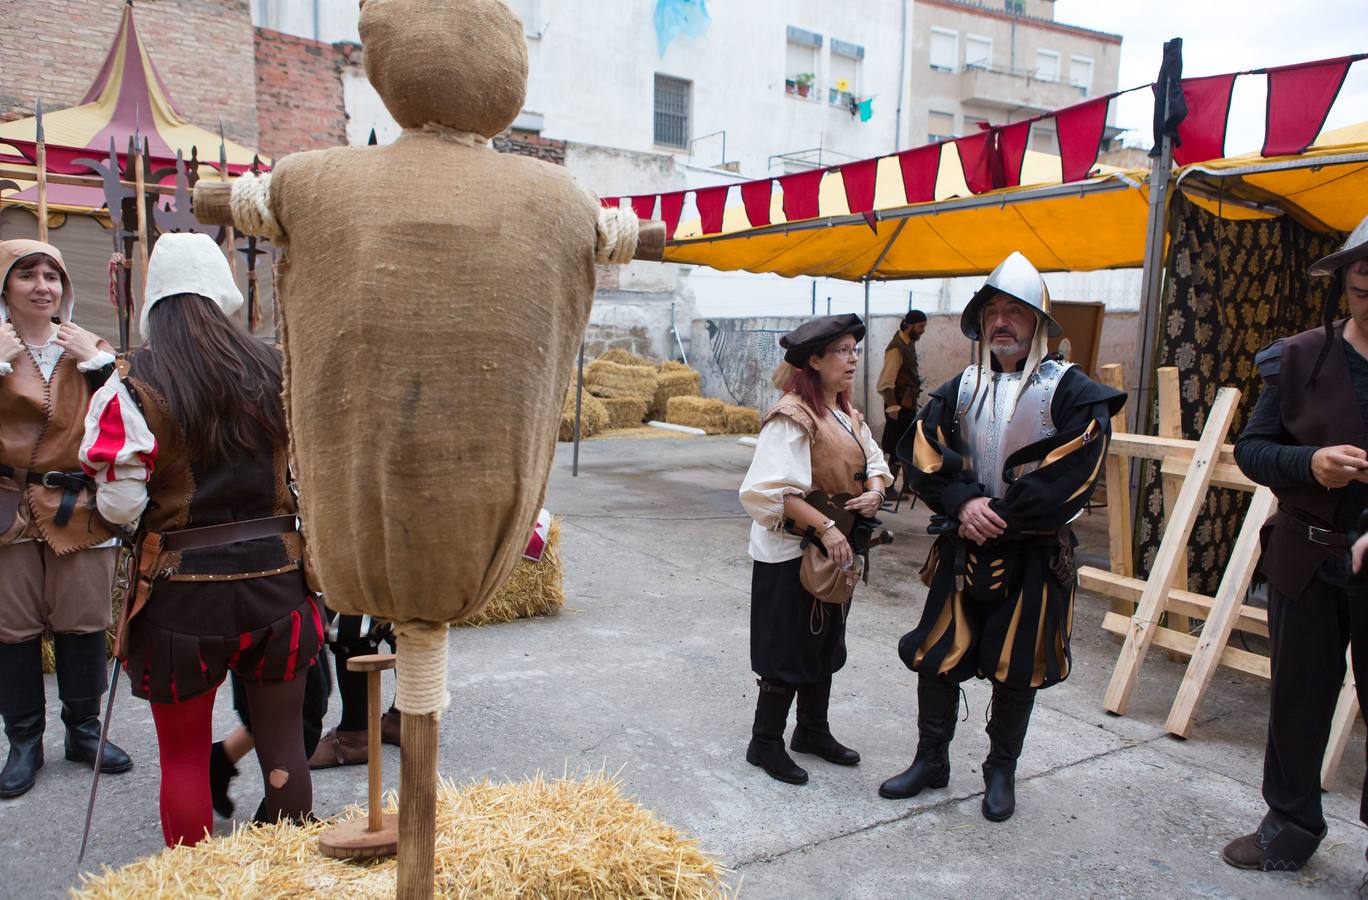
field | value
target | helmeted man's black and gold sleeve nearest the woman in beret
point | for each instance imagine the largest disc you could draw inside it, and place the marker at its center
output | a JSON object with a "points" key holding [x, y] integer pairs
{"points": [[935, 470]]}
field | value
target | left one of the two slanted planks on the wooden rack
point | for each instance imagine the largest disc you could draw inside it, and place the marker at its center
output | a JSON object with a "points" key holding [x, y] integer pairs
{"points": [[1170, 549]]}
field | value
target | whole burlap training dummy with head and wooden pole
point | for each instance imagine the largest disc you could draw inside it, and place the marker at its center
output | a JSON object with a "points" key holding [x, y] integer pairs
{"points": [[433, 296]]}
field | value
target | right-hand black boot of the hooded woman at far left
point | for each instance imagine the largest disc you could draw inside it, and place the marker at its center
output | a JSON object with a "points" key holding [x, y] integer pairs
{"points": [[81, 682]]}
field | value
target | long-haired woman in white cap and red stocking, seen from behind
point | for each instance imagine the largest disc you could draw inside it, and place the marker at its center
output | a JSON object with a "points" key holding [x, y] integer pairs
{"points": [[194, 442]]}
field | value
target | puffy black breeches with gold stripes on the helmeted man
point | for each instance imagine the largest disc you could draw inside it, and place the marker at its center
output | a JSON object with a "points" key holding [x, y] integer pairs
{"points": [[1010, 620]]}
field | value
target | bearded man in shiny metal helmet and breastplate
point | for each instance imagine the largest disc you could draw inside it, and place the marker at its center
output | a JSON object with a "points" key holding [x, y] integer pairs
{"points": [[1006, 455]]}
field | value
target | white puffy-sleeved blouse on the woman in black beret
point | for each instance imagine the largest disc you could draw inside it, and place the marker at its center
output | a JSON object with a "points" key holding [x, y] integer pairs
{"points": [[783, 467]]}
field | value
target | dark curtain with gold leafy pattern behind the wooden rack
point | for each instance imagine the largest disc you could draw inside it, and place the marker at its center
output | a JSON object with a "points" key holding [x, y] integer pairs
{"points": [[1232, 289]]}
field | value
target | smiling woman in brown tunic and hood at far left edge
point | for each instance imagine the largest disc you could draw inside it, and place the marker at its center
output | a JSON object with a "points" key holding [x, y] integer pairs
{"points": [[57, 555]]}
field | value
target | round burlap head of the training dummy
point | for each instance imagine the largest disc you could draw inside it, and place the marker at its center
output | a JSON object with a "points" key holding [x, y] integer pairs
{"points": [[459, 64]]}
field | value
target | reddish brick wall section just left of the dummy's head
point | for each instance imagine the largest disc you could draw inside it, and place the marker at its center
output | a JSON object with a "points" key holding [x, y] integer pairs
{"points": [[299, 91]]}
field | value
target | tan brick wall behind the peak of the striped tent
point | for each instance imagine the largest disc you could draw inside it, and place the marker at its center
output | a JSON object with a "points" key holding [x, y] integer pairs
{"points": [[203, 50]]}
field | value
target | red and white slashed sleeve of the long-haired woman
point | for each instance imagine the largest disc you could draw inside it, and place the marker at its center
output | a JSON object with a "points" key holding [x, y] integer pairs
{"points": [[118, 452]]}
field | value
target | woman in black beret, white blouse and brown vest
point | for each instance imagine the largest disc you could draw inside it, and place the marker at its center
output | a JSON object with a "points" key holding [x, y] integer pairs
{"points": [[812, 441]]}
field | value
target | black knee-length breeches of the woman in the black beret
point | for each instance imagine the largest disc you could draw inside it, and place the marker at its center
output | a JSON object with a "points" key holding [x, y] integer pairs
{"points": [[795, 639]]}
